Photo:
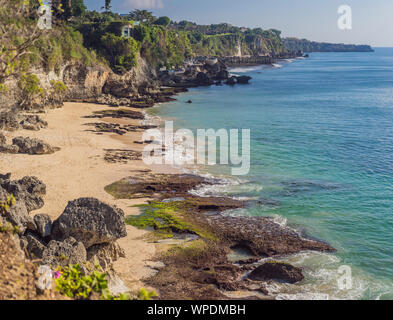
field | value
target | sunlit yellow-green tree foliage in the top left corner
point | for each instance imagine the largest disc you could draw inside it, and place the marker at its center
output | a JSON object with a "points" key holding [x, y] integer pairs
{"points": [[18, 33]]}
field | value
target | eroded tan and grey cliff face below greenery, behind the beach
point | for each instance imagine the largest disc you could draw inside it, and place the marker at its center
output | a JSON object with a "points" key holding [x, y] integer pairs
{"points": [[83, 83]]}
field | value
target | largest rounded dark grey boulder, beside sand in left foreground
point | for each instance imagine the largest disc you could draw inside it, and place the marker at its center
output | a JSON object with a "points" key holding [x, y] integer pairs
{"points": [[90, 221]]}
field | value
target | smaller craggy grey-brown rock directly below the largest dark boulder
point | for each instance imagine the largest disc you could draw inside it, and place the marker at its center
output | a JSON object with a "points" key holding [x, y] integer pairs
{"points": [[70, 251]]}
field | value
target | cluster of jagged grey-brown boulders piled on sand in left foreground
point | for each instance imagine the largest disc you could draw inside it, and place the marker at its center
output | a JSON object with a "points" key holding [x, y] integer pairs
{"points": [[86, 231]]}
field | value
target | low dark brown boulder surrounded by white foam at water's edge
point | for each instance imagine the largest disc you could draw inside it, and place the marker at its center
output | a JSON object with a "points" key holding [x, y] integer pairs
{"points": [[277, 271]]}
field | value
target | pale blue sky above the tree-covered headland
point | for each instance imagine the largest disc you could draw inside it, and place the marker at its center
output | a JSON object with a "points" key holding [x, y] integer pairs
{"points": [[372, 20]]}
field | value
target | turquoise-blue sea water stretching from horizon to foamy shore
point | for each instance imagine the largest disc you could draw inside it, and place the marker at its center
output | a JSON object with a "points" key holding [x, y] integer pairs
{"points": [[322, 149]]}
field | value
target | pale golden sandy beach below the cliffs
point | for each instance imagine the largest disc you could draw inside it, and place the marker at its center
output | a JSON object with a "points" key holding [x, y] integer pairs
{"points": [[79, 170]]}
